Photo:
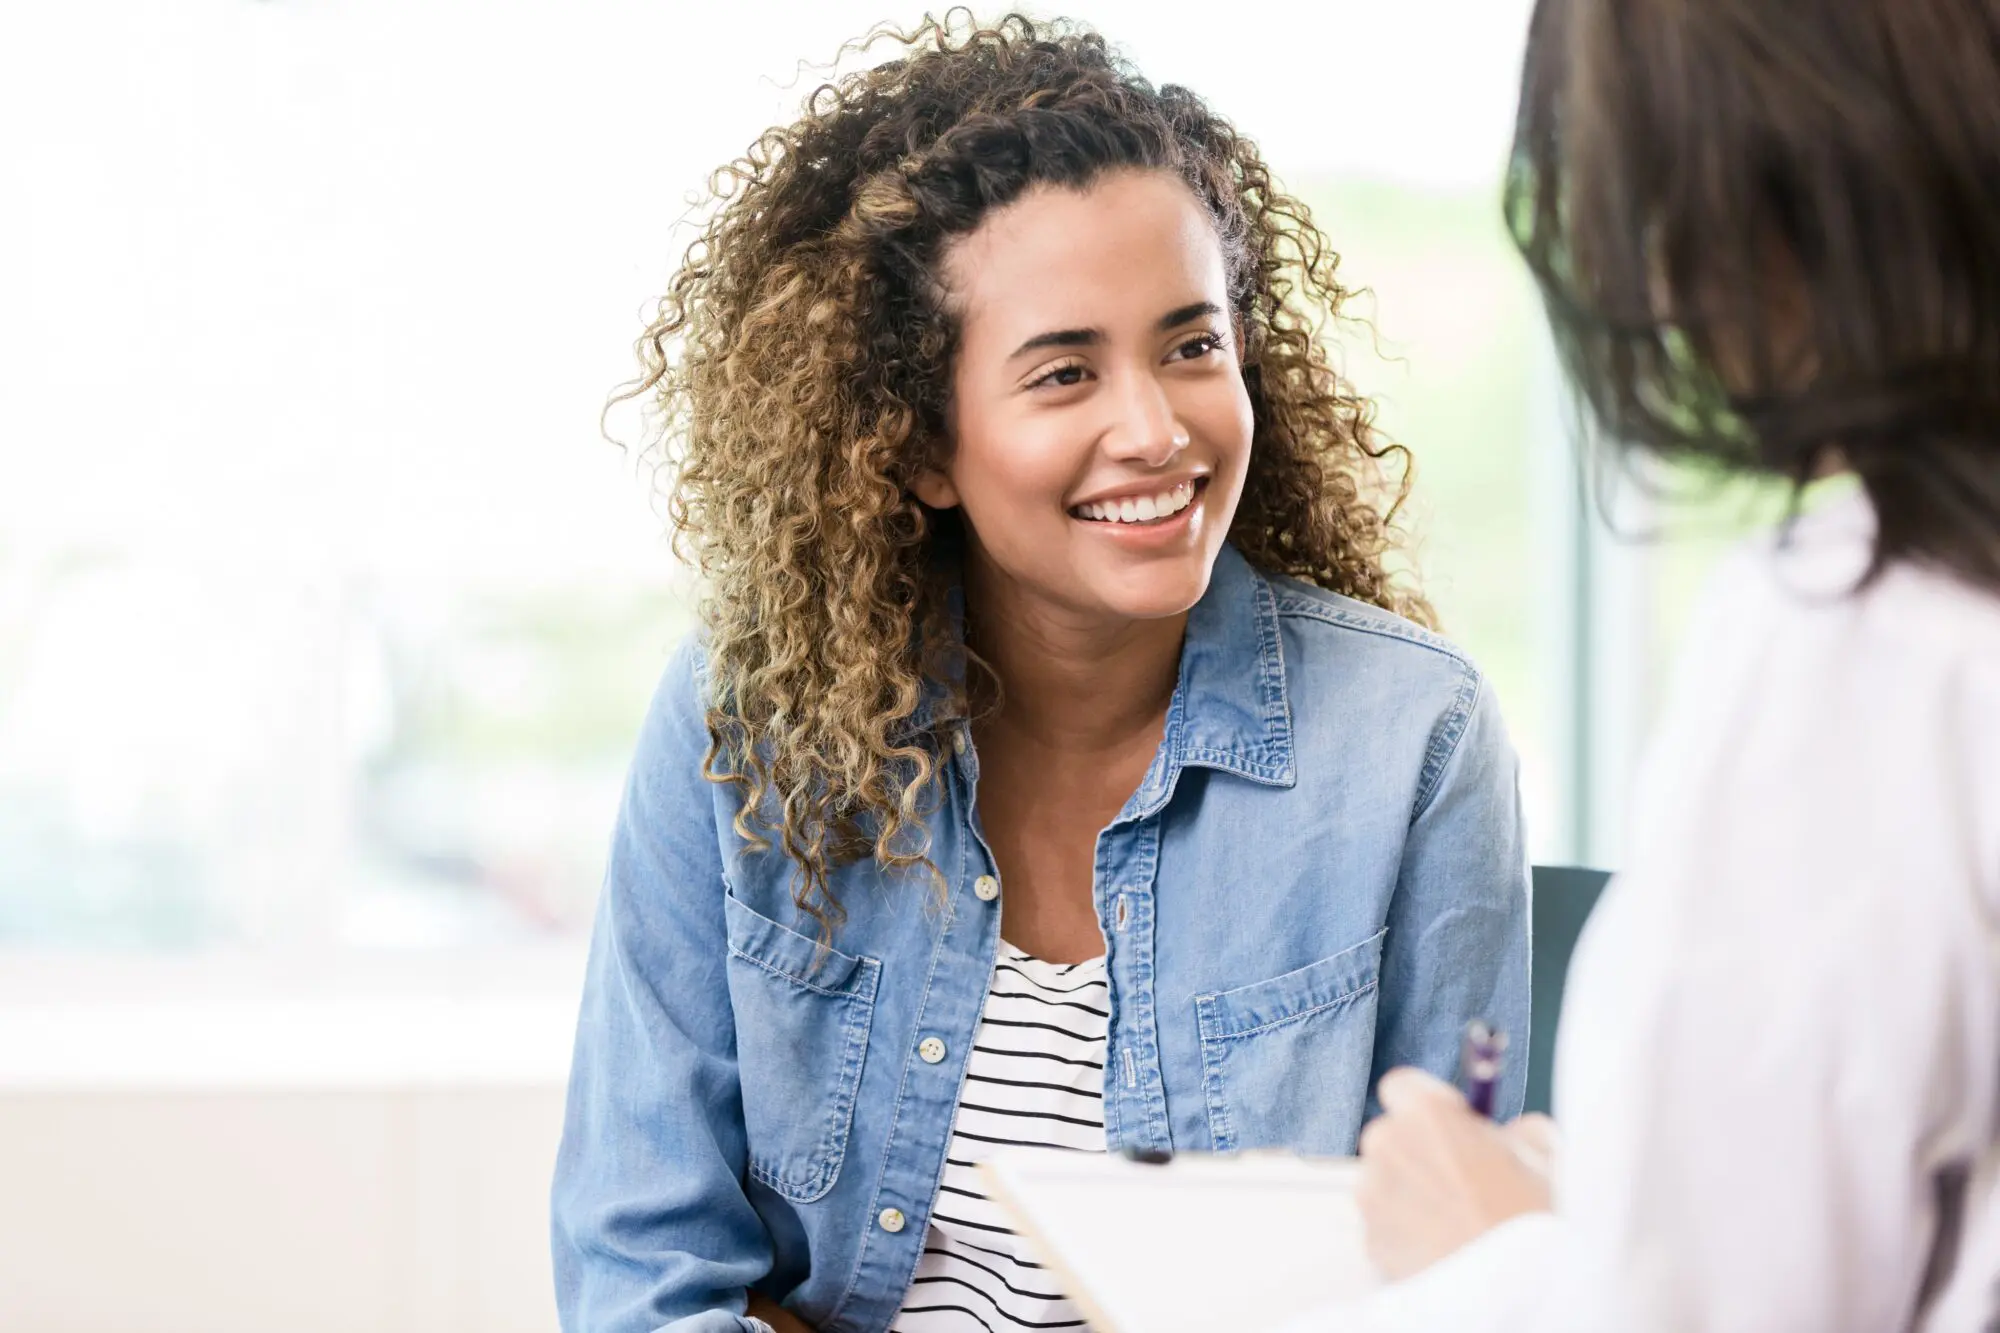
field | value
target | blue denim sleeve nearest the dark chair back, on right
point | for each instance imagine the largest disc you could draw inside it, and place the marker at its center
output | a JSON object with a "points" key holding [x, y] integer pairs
{"points": [[1457, 940]]}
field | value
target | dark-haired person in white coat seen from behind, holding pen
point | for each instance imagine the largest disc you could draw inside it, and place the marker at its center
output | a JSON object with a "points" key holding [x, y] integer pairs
{"points": [[1769, 239]]}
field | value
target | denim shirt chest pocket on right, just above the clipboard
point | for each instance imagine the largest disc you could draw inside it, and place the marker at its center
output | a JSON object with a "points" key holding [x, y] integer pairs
{"points": [[1287, 1062]]}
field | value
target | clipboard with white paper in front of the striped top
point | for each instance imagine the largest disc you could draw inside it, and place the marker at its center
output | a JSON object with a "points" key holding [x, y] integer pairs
{"points": [[1191, 1246]]}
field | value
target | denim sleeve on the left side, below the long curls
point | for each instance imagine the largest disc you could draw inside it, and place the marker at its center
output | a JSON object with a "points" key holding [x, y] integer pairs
{"points": [[651, 1224]]}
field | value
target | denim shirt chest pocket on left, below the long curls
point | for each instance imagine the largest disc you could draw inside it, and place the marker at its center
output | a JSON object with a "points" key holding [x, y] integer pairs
{"points": [[803, 1018]]}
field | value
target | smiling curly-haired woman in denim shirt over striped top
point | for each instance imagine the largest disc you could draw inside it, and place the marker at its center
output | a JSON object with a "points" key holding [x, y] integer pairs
{"points": [[1059, 762]]}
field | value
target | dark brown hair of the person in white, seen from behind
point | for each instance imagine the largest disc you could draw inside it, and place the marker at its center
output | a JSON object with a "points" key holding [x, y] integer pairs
{"points": [[1769, 237]]}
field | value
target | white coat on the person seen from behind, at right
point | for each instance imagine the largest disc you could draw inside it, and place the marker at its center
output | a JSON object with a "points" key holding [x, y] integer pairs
{"points": [[1779, 1068]]}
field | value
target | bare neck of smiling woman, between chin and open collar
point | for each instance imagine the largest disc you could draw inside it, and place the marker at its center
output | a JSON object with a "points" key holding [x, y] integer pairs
{"points": [[1069, 682]]}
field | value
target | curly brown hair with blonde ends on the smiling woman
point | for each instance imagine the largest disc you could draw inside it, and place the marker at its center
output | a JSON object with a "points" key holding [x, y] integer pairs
{"points": [[799, 371]]}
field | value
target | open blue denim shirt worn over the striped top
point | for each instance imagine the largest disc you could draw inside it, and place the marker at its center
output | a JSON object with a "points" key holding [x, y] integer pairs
{"points": [[1321, 876]]}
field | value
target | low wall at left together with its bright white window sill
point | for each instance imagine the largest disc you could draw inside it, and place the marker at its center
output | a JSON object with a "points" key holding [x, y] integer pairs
{"points": [[289, 1146]]}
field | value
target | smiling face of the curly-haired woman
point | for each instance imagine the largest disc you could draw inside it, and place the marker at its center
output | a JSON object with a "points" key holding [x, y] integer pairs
{"points": [[1101, 429]]}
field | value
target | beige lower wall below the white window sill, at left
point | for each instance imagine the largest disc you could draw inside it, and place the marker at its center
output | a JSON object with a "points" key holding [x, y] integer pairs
{"points": [[257, 1210]]}
